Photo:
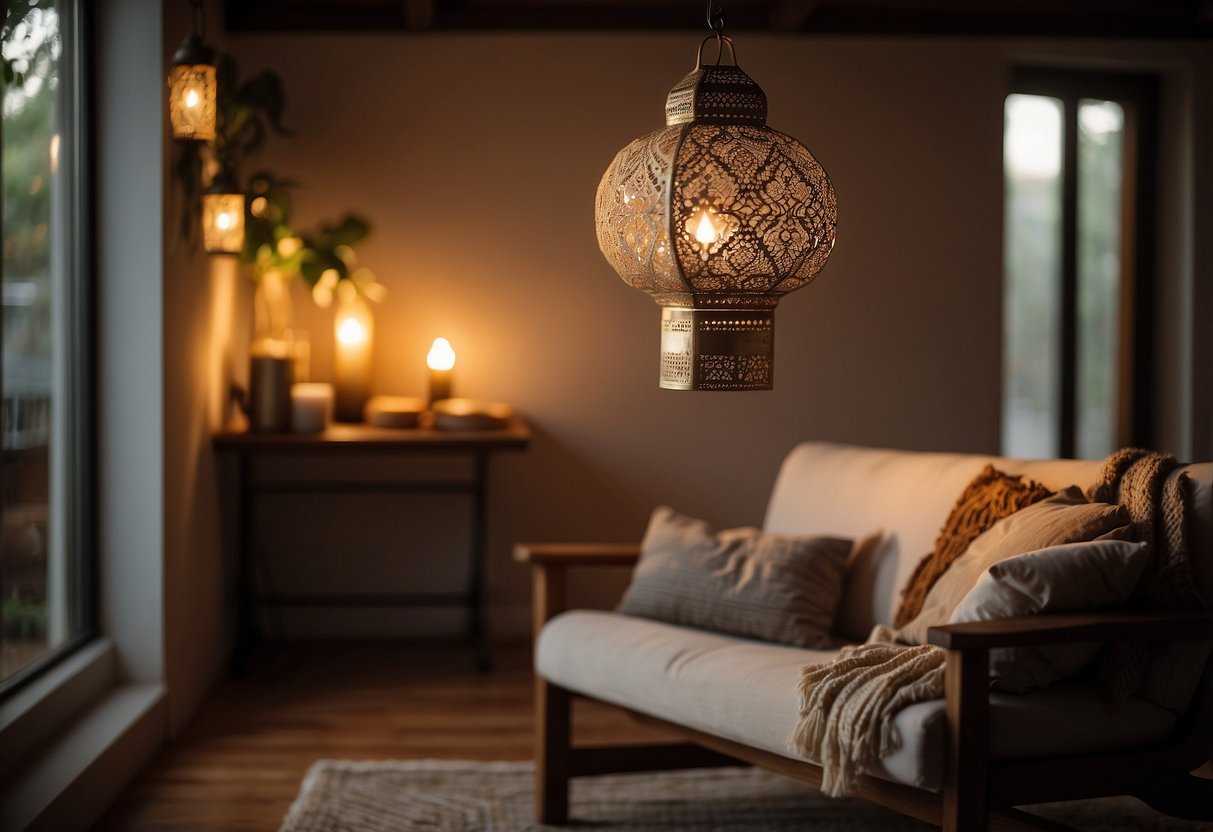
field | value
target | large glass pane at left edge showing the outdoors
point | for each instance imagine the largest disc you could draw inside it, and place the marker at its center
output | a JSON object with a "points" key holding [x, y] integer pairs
{"points": [[43, 552]]}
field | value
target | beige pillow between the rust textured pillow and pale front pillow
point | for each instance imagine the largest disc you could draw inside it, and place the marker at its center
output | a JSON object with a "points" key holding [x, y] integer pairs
{"points": [[1064, 518]]}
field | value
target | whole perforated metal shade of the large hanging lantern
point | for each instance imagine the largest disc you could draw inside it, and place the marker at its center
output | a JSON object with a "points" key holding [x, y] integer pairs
{"points": [[717, 216]]}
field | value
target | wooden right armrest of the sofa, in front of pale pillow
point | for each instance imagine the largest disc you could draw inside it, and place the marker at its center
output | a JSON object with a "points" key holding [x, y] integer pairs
{"points": [[1070, 628]]}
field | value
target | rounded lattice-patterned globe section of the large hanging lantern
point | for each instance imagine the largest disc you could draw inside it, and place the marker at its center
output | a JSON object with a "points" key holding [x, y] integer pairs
{"points": [[775, 202]]}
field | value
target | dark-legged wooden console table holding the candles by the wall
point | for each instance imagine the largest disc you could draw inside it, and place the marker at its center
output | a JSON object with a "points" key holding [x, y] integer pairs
{"points": [[354, 440]]}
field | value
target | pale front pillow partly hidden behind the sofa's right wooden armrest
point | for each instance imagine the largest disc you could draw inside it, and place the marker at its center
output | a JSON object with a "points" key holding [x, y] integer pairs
{"points": [[1061, 579]]}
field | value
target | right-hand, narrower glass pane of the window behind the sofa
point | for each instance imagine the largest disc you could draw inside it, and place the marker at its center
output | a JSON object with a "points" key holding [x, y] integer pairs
{"points": [[1101, 179]]}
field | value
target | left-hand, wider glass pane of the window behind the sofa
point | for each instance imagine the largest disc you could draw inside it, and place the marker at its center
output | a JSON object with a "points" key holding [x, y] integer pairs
{"points": [[1033, 275]]}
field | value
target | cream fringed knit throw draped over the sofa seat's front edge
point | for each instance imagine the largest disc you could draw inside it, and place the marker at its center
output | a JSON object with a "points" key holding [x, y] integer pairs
{"points": [[847, 705]]}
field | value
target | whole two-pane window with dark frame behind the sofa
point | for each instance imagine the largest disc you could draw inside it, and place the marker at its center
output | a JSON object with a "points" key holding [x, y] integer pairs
{"points": [[1077, 263]]}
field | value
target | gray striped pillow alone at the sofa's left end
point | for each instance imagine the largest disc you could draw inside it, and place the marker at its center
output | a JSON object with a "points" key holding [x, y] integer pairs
{"points": [[745, 583]]}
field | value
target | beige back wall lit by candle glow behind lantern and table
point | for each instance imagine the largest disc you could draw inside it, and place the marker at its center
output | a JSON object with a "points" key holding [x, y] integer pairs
{"points": [[477, 159]]}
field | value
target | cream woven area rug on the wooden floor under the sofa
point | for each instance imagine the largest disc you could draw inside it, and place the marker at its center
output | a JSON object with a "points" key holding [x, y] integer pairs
{"points": [[445, 796]]}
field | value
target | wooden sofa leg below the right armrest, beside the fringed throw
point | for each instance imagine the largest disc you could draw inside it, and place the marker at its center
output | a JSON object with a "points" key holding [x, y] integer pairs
{"points": [[967, 686]]}
